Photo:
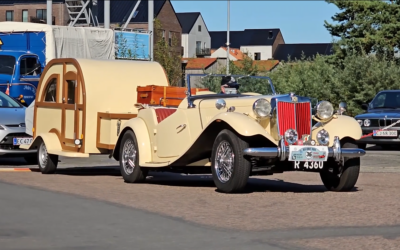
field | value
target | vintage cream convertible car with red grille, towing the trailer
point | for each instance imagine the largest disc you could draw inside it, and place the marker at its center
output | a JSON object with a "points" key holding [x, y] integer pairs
{"points": [[234, 136]]}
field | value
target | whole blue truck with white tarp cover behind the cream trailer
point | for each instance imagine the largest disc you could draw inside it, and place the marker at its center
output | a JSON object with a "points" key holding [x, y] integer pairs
{"points": [[25, 48]]}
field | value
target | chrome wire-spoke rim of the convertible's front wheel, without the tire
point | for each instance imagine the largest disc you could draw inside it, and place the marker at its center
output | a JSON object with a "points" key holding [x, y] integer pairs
{"points": [[224, 162]]}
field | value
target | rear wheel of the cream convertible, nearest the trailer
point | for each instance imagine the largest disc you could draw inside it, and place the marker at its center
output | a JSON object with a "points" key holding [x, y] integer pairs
{"points": [[130, 151]]}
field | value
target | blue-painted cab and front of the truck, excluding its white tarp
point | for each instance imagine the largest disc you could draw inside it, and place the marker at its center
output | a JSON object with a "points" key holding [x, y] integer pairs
{"points": [[22, 59]]}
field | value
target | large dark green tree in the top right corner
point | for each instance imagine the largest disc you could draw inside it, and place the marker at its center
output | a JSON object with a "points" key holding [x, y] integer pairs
{"points": [[366, 26]]}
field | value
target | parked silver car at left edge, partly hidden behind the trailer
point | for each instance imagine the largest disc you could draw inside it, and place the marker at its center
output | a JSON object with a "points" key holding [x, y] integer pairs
{"points": [[12, 130]]}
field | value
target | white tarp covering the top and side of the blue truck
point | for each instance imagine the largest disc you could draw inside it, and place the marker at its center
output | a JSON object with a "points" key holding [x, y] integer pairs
{"points": [[73, 42]]}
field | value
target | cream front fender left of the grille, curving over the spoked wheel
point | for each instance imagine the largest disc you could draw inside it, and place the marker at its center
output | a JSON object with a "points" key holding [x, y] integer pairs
{"points": [[242, 124]]}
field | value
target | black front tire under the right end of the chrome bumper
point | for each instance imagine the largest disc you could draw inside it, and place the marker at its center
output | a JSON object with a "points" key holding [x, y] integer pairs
{"points": [[347, 176]]}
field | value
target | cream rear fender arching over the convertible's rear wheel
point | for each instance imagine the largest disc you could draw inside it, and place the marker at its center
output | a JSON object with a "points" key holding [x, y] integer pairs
{"points": [[138, 126]]}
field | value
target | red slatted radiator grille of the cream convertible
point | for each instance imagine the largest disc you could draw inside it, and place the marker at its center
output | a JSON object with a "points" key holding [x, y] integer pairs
{"points": [[295, 116]]}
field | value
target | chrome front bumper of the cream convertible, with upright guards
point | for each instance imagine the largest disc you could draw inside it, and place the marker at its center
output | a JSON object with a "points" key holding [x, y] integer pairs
{"points": [[282, 152]]}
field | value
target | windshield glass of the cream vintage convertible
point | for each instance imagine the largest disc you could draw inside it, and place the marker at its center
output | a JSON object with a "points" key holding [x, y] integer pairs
{"points": [[246, 84]]}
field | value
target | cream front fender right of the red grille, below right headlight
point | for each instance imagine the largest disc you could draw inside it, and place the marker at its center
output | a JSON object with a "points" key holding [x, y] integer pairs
{"points": [[342, 126]]}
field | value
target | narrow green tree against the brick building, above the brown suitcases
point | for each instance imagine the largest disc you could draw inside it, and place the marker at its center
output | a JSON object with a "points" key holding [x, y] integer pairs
{"points": [[168, 55]]}
